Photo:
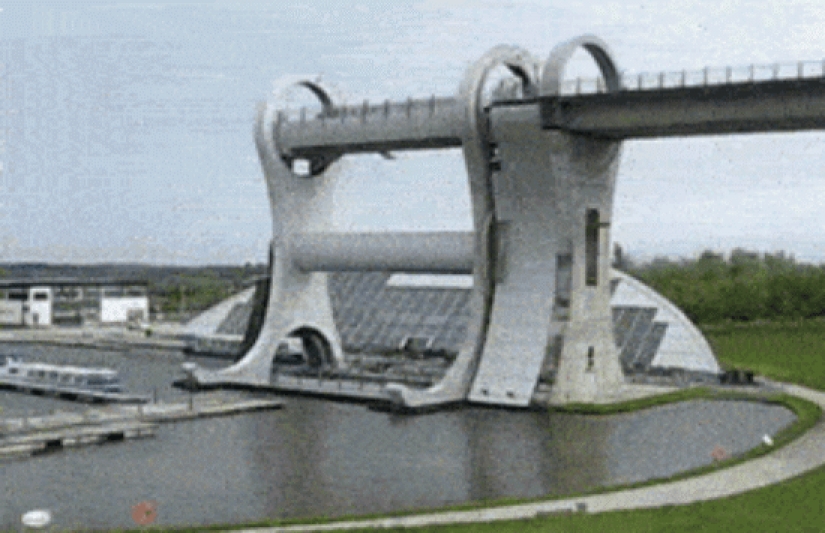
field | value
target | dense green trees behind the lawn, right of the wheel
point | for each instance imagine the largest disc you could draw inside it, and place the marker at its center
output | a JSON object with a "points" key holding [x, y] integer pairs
{"points": [[745, 286]]}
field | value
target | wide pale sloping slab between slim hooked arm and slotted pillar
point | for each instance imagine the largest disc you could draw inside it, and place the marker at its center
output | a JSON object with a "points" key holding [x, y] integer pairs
{"points": [[520, 323]]}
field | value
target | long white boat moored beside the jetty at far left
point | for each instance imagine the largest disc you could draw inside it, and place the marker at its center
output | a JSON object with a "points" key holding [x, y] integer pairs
{"points": [[59, 377]]}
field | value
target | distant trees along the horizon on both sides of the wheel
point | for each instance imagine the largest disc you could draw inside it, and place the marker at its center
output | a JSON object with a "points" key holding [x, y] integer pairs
{"points": [[745, 286]]}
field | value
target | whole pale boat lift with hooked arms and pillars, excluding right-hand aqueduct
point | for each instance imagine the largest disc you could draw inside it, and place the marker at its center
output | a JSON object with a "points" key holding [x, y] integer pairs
{"points": [[542, 203]]}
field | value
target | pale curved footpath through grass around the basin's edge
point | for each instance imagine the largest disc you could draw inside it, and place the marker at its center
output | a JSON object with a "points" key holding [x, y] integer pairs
{"points": [[800, 456]]}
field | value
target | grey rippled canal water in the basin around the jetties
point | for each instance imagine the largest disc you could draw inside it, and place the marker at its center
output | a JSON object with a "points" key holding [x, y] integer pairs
{"points": [[322, 458]]}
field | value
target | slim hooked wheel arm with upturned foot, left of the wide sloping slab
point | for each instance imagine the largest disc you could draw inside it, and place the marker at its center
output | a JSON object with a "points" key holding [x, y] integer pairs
{"points": [[476, 145]]}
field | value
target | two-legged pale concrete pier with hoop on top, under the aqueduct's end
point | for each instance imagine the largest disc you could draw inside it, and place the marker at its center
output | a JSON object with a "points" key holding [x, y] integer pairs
{"points": [[553, 200]]}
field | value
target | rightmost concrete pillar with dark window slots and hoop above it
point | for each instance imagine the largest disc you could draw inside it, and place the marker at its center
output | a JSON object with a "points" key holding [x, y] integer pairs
{"points": [[585, 172]]}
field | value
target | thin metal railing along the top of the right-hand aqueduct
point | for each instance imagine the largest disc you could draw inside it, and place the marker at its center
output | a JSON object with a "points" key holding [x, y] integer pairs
{"points": [[708, 76]]}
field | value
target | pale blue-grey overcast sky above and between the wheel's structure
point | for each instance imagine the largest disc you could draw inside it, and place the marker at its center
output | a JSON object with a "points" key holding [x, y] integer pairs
{"points": [[126, 127]]}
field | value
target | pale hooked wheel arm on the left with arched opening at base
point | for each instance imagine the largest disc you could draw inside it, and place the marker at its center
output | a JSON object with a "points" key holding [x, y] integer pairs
{"points": [[298, 301]]}
